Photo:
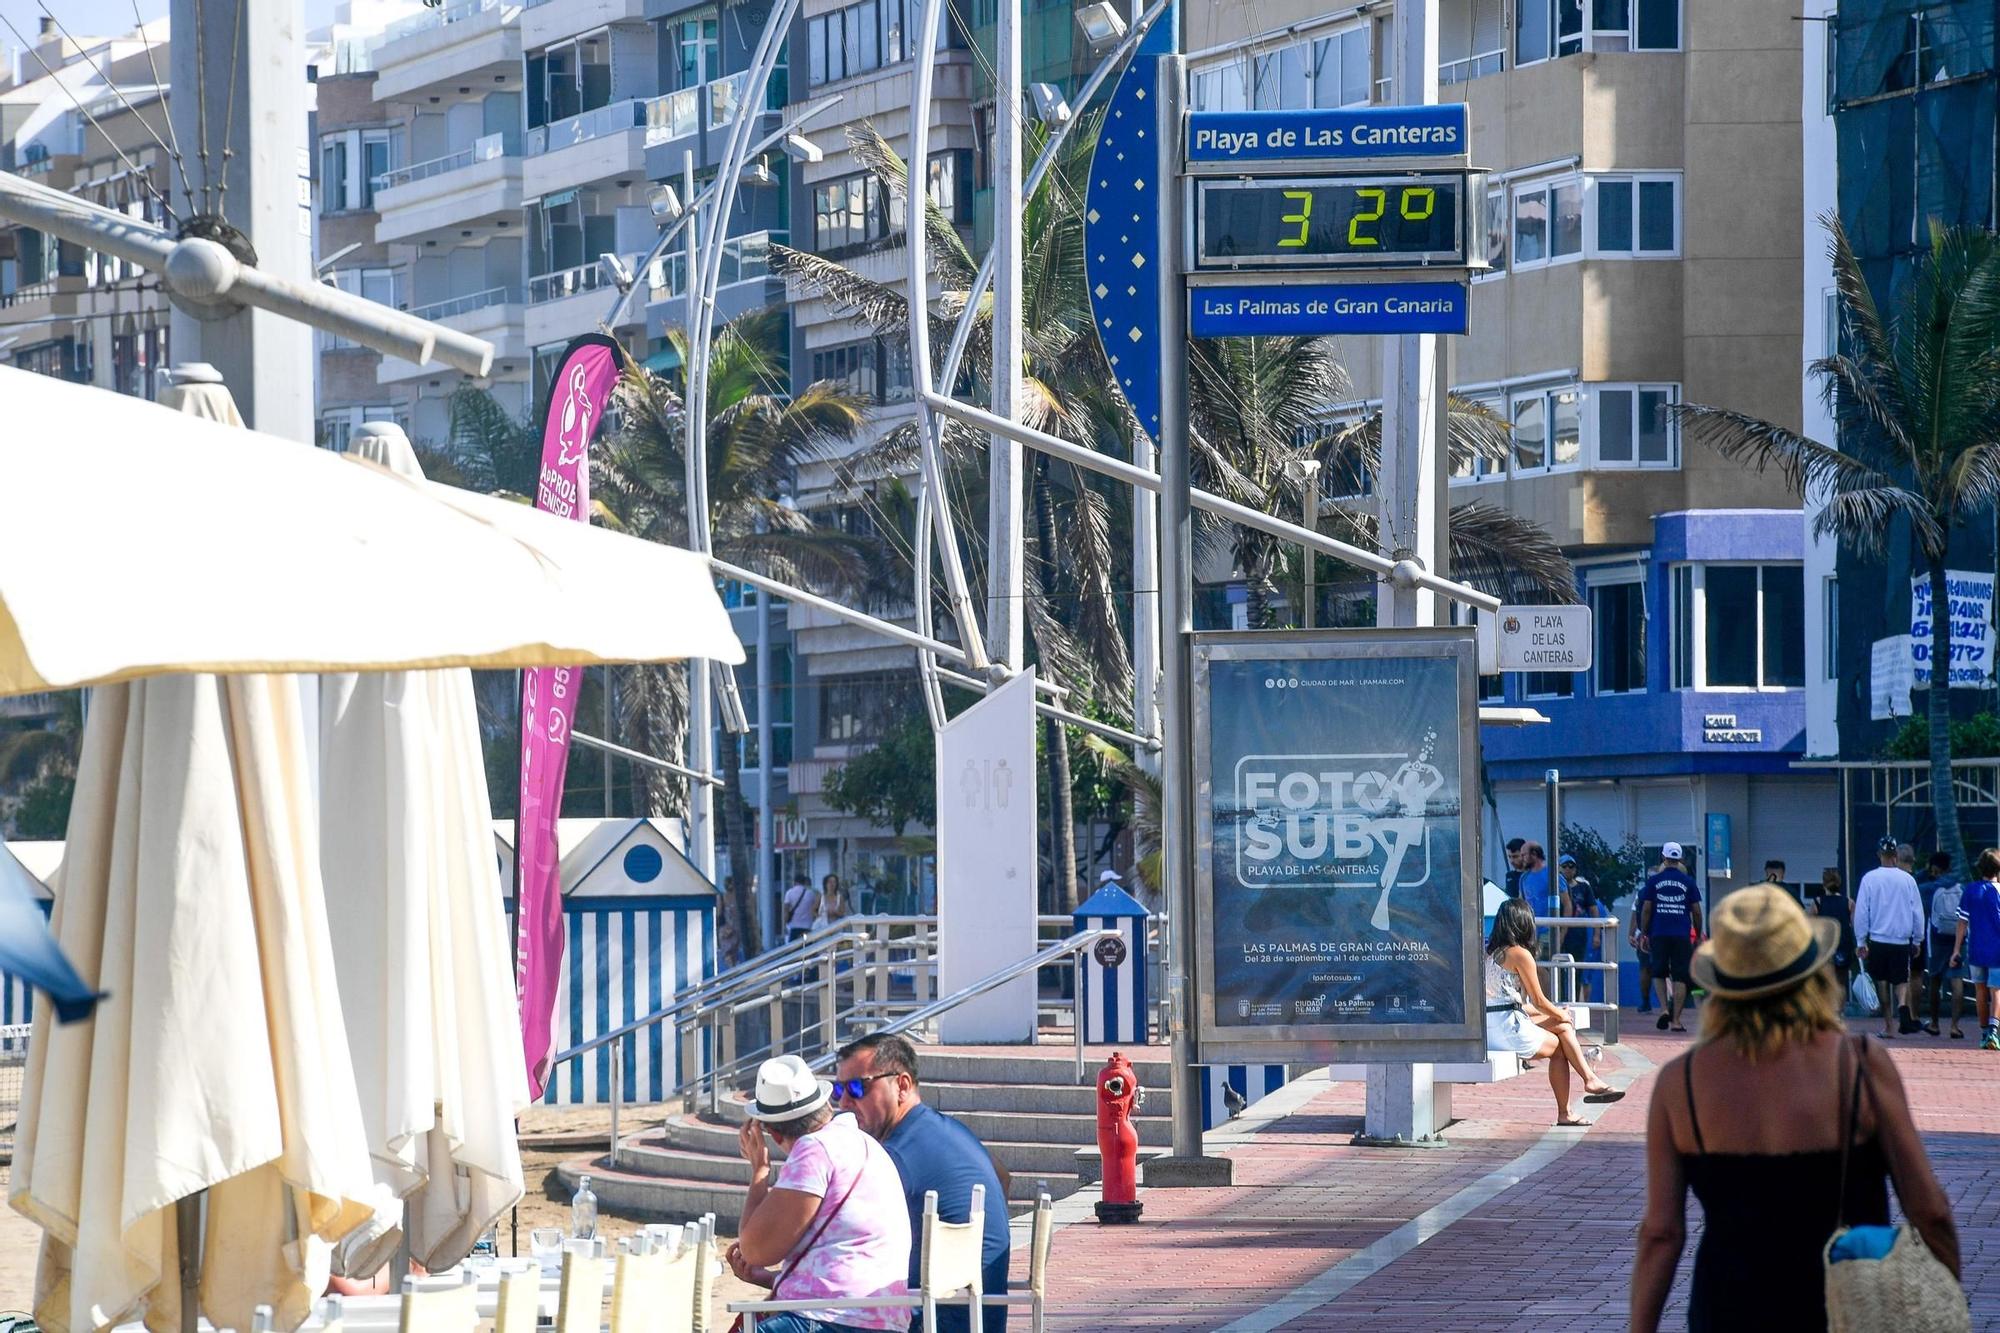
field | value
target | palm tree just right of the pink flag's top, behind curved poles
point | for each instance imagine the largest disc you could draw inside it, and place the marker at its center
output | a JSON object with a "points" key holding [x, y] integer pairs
{"points": [[757, 441]]}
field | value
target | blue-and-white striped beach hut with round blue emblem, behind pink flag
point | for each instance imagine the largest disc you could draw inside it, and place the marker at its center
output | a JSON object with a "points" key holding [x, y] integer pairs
{"points": [[641, 926]]}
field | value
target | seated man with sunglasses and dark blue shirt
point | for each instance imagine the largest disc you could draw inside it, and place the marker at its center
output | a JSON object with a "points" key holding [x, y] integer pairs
{"points": [[877, 1082]]}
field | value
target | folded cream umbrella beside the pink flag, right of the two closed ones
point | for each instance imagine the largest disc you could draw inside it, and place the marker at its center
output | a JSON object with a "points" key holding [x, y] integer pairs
{"points": [[421, 944]]}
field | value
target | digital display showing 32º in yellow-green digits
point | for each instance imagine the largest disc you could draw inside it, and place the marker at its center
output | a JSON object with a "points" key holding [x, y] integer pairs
{"points": [[1401, 221]]}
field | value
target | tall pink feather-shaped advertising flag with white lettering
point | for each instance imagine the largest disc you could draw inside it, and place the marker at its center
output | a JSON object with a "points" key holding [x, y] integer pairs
{"points": [[577, 401]]}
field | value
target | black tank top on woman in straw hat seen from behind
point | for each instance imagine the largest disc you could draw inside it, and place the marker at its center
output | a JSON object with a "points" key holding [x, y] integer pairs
{"points": [[1767, 1222]]}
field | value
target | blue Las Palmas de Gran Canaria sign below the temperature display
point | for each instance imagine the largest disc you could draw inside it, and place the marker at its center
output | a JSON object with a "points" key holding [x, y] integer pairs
{"points": [[1271, 309]]}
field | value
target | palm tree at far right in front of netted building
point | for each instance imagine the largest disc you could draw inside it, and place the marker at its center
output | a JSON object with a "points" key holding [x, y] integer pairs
{"points": [[1917, 399]]}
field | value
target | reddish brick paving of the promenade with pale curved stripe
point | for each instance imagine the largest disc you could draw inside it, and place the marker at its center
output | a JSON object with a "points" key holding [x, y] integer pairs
{"points": [[1553, 1252]]}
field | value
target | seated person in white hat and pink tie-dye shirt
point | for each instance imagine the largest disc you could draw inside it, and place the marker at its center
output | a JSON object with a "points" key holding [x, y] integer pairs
{"points": [[831, 1226]]}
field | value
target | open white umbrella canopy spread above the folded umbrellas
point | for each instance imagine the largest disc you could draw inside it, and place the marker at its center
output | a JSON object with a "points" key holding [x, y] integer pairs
{"points": [[209, 547]]}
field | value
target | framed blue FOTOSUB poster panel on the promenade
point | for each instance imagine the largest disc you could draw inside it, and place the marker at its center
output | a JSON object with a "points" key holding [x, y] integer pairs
{"points": [[1337, 894]]}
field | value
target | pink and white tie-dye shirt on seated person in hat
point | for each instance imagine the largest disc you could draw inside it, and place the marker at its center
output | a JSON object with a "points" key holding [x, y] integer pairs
{"points": [[865, 1250]]}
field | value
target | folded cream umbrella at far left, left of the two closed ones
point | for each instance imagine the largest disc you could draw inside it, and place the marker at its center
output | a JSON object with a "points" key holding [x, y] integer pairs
{"points": [[217, 1062]]}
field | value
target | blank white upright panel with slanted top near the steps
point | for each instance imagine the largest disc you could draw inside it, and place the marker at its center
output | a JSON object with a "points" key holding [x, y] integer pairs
{"points": [[989, 864]]}
